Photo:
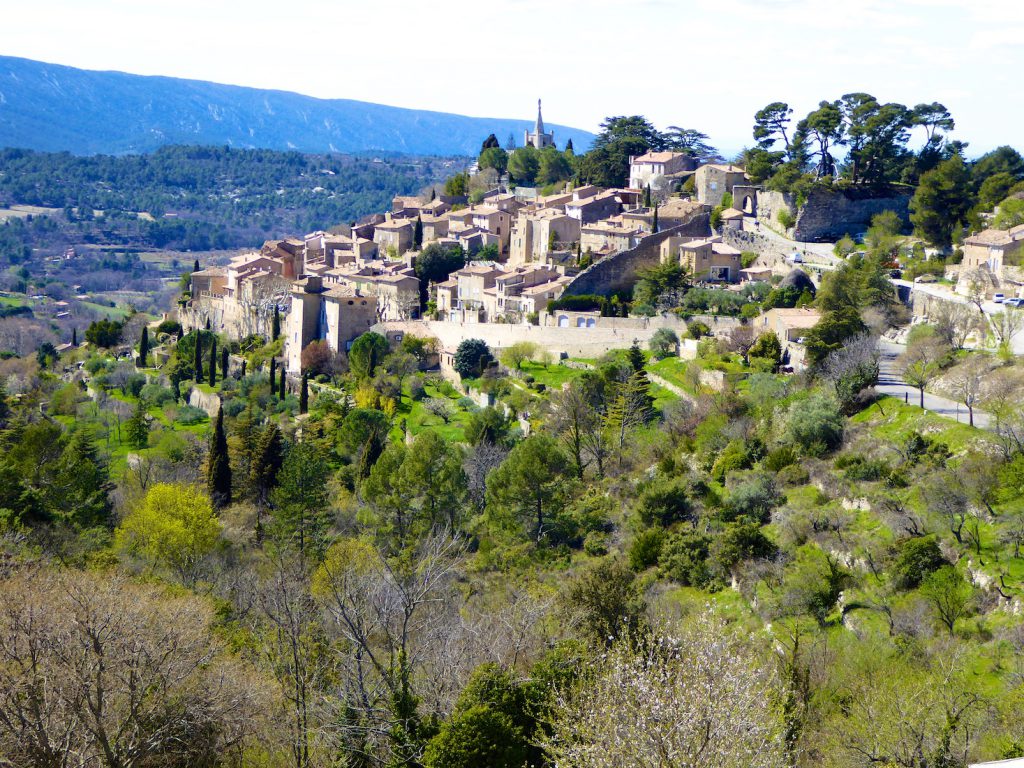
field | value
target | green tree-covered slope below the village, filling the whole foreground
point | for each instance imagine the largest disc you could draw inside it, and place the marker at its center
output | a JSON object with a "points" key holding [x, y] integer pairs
{"points": [[621, 560]]}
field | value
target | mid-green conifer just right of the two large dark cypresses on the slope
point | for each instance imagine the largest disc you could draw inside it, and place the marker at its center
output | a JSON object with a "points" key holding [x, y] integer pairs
{"points": [[301, 508]]}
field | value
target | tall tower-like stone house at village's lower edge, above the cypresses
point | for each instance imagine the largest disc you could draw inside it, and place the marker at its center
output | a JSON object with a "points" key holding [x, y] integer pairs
{"points": [[337, 315]]}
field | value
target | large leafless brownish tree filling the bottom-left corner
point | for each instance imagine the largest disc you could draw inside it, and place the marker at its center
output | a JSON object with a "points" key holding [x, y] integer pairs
{"points": [[99, 671]]}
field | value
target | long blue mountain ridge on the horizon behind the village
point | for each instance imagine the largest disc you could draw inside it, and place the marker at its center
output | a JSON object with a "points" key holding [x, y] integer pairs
{"points": [[56, 109]]}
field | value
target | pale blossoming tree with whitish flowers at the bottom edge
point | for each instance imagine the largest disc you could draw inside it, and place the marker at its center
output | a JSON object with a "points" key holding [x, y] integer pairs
{"points": [[702, 700]]}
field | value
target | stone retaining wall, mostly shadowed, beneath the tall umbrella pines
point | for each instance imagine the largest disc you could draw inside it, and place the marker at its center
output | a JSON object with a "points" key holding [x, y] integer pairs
{"points": [[828, 216]]}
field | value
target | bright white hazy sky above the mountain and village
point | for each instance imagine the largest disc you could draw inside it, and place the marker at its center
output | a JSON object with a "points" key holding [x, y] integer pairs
{"points": [[699, 64]]}
